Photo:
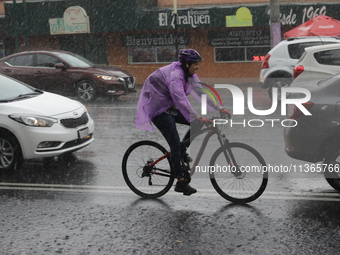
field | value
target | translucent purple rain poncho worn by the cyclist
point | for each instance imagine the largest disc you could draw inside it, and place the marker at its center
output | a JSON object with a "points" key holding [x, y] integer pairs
{"points": [[164, 88]]}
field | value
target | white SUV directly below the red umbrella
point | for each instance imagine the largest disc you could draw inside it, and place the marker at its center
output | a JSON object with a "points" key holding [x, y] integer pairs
{"points": [[278, 64]]}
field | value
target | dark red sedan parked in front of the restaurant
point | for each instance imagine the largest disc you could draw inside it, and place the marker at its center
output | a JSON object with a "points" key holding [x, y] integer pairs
{"points": [[67, 73]]}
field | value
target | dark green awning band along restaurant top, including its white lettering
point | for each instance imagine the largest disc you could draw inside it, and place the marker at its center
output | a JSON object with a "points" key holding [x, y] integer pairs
{"points": [[33, 17]]}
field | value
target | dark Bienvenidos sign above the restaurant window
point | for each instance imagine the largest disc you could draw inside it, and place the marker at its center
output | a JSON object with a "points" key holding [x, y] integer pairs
{"points": [[155, 40]]}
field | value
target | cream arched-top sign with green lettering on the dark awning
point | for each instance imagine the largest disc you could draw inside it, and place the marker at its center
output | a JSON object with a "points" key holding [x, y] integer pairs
{"points": [[75, 21]]}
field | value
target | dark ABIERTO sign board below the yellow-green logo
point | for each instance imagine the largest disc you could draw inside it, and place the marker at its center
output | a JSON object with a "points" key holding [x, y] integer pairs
{"points": [[249, 37]]}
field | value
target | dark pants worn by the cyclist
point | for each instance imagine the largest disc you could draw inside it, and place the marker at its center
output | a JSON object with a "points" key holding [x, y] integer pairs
{"points": [[166, 123]]}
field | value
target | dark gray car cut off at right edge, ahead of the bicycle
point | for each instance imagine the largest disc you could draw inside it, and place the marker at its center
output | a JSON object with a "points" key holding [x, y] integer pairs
{"points": [[316, 137]]}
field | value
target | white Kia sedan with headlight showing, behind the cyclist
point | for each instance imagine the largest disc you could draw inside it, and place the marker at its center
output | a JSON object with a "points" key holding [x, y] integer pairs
{"points": [[38, 124]]}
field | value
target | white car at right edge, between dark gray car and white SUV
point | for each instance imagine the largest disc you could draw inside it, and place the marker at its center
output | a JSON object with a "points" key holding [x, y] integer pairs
{"points": [[318, 62]]}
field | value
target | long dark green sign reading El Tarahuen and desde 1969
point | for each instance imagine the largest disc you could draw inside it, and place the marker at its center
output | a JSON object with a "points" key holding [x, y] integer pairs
{"points": [[235, 16]]}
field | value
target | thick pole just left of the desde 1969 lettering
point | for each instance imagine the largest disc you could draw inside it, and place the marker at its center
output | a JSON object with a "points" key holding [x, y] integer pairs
{"points": [[275, 25]]}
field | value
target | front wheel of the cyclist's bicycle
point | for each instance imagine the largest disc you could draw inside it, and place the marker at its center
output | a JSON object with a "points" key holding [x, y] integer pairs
{"points": [[241, 181]]}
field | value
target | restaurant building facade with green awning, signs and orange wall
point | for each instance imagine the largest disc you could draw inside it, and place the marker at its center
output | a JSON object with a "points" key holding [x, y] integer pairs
{"points": [[142, 35]]}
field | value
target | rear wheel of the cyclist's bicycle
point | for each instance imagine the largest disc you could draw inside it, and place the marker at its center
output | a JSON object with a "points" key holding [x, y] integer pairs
{"points": [[143, 176]]}
